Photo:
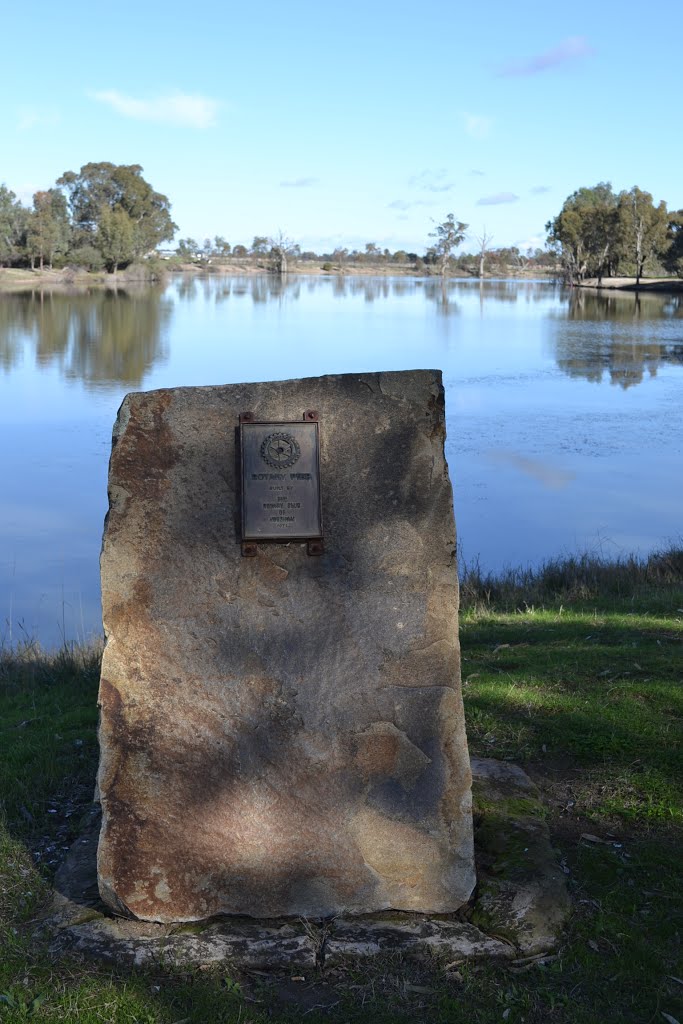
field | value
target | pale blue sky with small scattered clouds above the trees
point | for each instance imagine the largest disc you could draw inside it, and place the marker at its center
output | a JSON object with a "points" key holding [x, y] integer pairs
{"points": [[343, 124]]}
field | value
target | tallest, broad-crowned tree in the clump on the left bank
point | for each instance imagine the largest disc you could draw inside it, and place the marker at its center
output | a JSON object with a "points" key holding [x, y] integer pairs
{"points": [[106, 187]]}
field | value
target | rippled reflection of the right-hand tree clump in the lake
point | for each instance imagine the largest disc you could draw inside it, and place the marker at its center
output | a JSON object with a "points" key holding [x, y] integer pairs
{"points": [[613, 337]]}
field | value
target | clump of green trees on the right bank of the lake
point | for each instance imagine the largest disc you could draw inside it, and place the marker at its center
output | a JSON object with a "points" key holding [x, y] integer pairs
{"points": [[603, 234]]}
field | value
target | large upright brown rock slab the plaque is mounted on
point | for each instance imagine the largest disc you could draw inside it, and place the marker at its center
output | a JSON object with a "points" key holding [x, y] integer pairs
{"points": [[283, 735]]}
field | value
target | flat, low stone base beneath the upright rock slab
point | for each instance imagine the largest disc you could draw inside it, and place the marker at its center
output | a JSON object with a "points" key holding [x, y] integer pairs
{"points": [[77, 921]]}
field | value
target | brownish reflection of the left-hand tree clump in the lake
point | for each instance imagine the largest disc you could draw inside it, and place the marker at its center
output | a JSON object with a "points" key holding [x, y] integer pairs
{"points": [[101, 338]]}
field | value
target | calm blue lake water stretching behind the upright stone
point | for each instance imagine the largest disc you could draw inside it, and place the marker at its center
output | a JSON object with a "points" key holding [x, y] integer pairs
{"points": [[565, 426]]}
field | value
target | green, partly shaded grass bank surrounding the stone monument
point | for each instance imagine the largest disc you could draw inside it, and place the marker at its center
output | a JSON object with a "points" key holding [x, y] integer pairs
{"points": [[575, 672]]}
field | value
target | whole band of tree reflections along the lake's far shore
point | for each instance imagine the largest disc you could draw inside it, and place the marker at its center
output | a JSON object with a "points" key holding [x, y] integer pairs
{"points": [[118, 337]]}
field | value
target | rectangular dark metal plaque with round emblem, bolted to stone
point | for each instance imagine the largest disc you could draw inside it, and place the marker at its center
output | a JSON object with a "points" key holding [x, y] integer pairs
{"points": [[281, 482]]}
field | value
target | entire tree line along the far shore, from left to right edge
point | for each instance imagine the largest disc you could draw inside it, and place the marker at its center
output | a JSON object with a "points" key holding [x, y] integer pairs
{"points": [[107, 217]]}
